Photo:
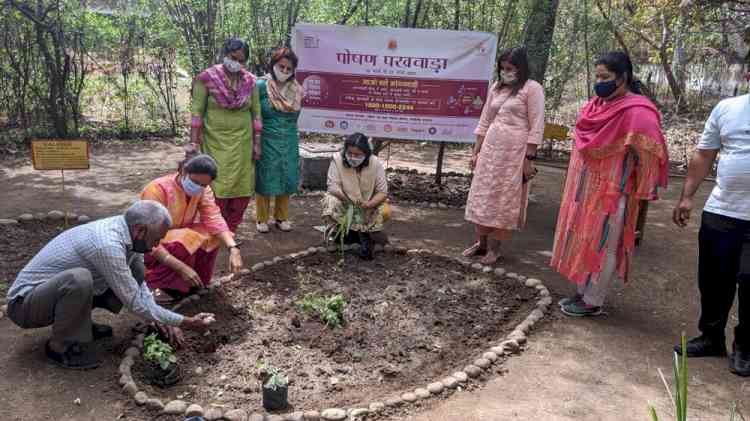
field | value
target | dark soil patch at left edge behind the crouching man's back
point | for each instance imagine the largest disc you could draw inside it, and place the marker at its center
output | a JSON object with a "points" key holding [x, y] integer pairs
{"points": [[18, 244]]}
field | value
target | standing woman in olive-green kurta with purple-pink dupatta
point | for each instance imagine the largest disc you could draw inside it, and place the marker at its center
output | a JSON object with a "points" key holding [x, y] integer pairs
{"points": [[226, 124]]}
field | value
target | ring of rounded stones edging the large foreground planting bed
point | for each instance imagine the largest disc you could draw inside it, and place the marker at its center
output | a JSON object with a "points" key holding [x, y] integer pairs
{"points": [[485, 359]]}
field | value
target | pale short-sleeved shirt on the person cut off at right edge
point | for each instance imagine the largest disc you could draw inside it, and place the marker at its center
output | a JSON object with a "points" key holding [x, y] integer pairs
{"points": [[728, 130]]}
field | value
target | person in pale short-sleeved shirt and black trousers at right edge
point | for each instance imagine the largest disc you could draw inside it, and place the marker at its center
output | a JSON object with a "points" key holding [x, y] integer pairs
{"points": [[724, 238]]}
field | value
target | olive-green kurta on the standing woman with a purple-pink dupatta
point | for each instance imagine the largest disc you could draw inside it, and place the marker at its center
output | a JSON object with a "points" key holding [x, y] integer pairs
{"points": [[228, 138]]}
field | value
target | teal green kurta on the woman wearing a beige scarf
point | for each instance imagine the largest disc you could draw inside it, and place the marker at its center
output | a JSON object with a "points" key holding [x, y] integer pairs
{"points": [[277, 172]]}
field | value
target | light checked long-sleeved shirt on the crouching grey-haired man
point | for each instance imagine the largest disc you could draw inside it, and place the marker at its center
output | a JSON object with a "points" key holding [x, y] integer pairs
{"points": [[105, 249]]}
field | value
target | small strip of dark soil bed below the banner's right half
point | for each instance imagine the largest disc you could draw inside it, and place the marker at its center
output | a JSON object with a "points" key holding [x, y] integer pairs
{"points": [[410, 185]]}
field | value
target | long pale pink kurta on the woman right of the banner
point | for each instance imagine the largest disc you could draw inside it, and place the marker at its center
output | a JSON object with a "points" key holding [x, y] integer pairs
{"points": [[498, 197]]}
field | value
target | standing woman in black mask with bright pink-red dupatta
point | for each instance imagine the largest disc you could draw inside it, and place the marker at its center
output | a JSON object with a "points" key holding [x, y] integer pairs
{"points": [[619, 159]]}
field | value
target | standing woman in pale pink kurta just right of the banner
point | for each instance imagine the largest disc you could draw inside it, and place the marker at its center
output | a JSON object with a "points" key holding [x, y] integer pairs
{"points": [[508, 133]]}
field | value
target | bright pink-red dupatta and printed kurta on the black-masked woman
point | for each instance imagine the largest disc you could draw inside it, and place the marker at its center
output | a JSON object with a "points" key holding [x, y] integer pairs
{"points": [[619, 151]]}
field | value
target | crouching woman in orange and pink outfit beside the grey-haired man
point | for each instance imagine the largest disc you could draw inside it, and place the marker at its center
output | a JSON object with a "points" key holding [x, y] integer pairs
{"points": [[184, 261]]}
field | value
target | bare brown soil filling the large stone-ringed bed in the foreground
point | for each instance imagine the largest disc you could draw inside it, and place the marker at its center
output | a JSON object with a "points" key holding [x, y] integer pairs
{"points": [[409, 320]]}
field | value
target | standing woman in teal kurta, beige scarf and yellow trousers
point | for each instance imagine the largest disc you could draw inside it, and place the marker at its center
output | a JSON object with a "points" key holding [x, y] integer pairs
{"points": [[278, 168]]}
